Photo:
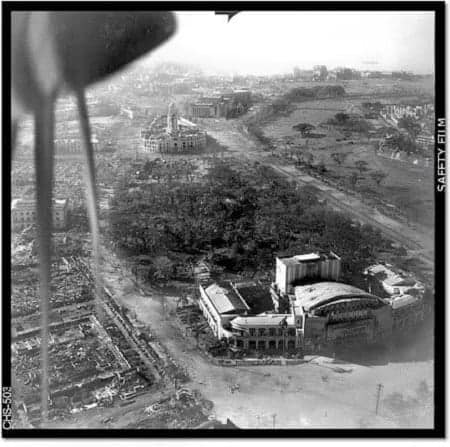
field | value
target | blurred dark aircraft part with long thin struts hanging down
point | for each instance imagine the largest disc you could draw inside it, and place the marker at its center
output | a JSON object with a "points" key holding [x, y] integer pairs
{"points": [[83, 60]]}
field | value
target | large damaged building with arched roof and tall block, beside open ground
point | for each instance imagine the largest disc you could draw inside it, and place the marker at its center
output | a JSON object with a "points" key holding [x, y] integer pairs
{"points": [[304, 310]]}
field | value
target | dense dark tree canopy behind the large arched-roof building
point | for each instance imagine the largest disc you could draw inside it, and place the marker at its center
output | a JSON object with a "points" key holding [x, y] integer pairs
{"points": [[239, 221]]}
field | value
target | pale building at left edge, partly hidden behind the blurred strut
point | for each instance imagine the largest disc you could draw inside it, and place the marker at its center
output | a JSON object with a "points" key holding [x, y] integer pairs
{"points": [[23, 213]]}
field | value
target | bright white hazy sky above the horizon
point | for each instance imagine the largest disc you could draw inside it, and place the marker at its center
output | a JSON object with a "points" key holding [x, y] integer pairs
{"points": [[275, 42]]}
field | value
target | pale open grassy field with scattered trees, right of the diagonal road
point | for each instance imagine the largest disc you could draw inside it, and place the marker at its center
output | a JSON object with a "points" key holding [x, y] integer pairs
{"points": [[407, 187]]}
